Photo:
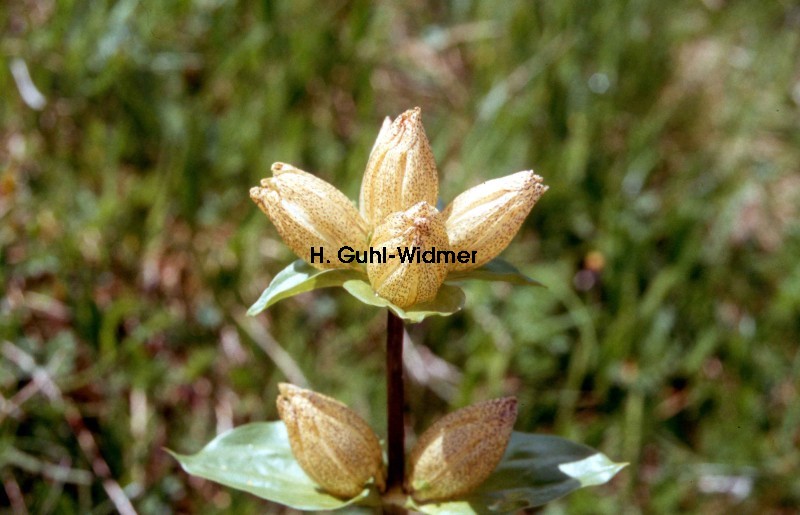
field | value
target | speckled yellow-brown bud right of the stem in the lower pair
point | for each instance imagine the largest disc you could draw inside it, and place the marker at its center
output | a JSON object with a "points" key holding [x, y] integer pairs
{"points": [[460, 450]]}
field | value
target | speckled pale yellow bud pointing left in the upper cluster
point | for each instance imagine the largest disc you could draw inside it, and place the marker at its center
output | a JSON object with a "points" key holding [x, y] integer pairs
{"points": [[308, 212]]}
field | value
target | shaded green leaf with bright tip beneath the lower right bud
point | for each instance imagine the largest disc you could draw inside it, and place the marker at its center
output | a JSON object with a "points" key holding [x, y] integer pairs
{"points": [[535, 470]]}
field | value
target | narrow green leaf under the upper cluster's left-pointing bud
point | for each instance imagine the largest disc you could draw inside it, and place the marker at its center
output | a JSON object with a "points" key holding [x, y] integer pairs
{"points": [[300, 277]]}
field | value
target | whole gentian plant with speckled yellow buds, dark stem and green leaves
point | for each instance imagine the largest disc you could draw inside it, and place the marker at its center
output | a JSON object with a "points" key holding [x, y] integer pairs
{"points": [[396, 251]]}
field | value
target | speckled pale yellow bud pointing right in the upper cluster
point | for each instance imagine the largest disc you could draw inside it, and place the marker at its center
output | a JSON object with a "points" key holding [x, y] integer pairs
{"points": [[485, 218]]}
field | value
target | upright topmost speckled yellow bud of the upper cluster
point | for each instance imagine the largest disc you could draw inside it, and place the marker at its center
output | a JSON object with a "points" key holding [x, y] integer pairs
{"points": [[400, 171]]}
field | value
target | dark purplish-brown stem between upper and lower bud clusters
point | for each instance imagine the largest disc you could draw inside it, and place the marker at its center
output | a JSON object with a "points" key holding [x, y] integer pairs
{"points": [[395, 404]]}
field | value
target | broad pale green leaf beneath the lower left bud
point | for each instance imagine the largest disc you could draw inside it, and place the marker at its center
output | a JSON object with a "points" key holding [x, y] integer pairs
{"points": [[257, 458]]}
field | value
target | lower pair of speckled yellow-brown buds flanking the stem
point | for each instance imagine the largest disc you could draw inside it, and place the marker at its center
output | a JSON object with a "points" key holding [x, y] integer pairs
{"points": [[339, 451]]}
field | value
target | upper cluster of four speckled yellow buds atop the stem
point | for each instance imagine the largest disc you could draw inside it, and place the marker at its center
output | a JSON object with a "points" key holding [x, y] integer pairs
{"points": [[397, 211]]}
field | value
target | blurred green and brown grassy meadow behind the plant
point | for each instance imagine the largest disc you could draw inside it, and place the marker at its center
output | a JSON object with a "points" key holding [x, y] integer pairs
{"points": [[667, 336]]}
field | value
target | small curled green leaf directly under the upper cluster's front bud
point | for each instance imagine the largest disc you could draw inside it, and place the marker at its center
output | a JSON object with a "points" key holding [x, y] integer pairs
{"points": [[449, 300]]}
